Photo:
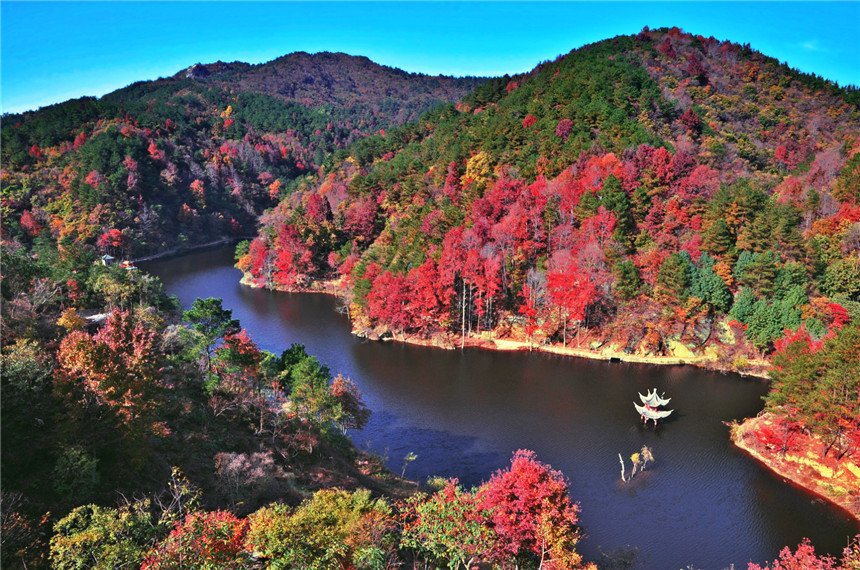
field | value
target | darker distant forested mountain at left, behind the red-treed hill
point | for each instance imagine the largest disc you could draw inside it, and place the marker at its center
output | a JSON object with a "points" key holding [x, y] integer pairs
{"points": [[199, 155]]}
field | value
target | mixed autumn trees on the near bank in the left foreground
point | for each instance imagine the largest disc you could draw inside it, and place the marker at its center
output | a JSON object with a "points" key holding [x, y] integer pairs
{"points": [[158, 438]]}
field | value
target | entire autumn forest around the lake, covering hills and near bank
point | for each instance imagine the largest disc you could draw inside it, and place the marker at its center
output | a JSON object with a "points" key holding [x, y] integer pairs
{"points": [[658, 194]]}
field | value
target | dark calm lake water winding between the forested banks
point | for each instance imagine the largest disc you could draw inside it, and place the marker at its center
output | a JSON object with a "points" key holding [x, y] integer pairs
{"points": [[702, 503]]}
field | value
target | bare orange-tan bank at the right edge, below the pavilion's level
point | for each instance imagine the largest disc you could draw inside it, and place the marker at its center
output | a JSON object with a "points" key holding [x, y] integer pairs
{"points": [[837, 481]]}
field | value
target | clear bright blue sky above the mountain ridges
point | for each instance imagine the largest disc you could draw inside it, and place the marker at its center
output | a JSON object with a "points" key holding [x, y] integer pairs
{"points": [[54, 51]]}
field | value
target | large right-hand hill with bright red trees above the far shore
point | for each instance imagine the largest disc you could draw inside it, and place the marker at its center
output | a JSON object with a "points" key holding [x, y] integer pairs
{"points": [[654, 194]]}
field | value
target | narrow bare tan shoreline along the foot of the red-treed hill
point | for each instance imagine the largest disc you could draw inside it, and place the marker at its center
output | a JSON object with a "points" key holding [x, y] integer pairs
{"points": [[488, 341]]}
